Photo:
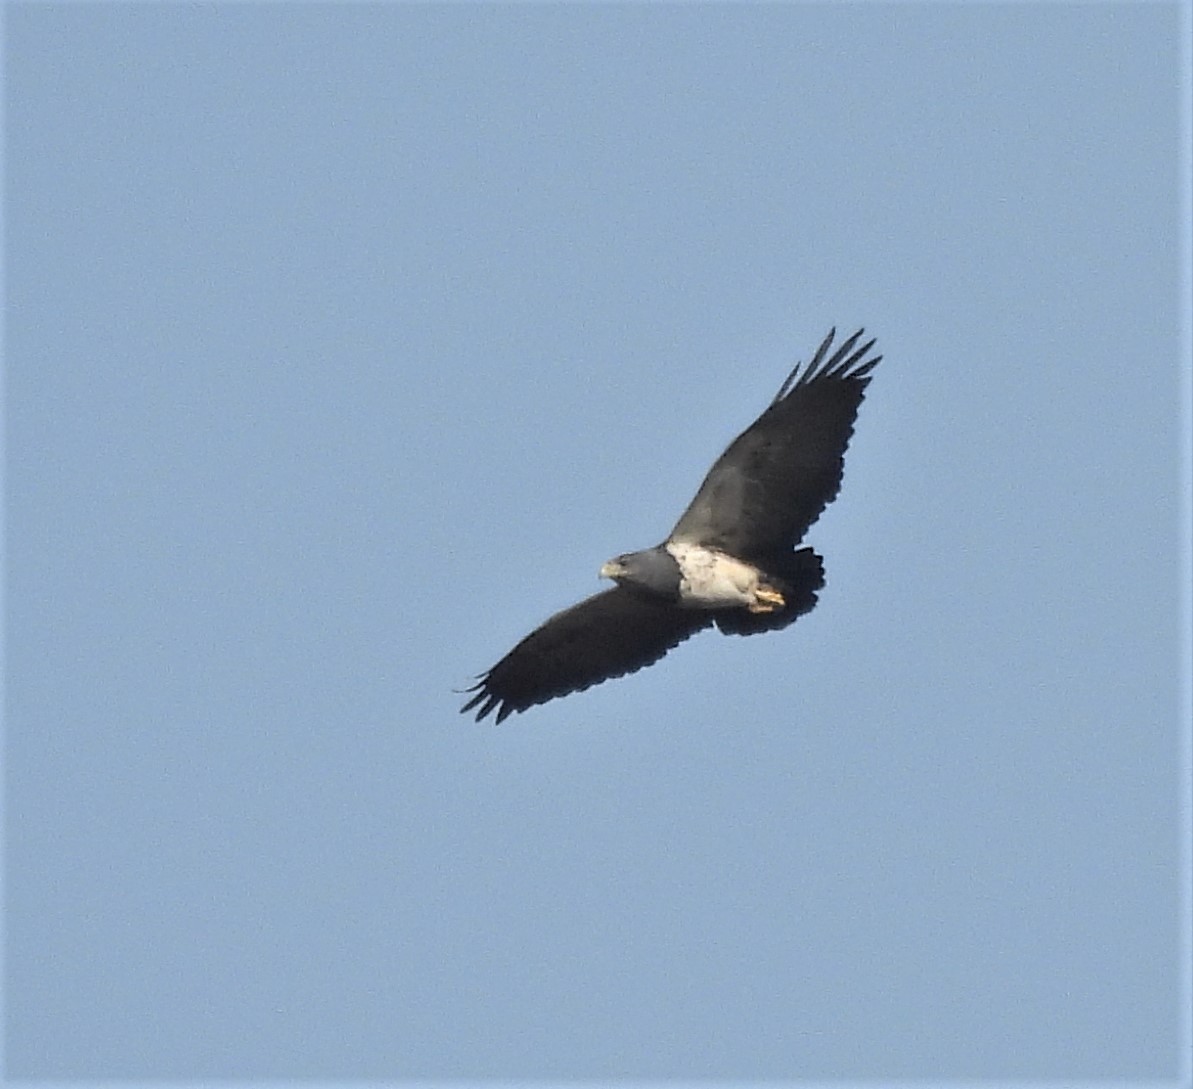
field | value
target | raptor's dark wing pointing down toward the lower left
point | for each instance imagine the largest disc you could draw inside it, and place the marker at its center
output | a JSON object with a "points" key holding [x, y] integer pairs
{"points": [[609, 635]]}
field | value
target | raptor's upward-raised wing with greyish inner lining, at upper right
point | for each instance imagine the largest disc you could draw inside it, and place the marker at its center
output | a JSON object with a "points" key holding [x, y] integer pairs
{"points": [[780, 474]]}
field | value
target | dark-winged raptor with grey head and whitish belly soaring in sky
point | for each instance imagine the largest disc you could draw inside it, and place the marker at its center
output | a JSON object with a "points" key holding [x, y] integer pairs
{"points": [[732, 560]]}
